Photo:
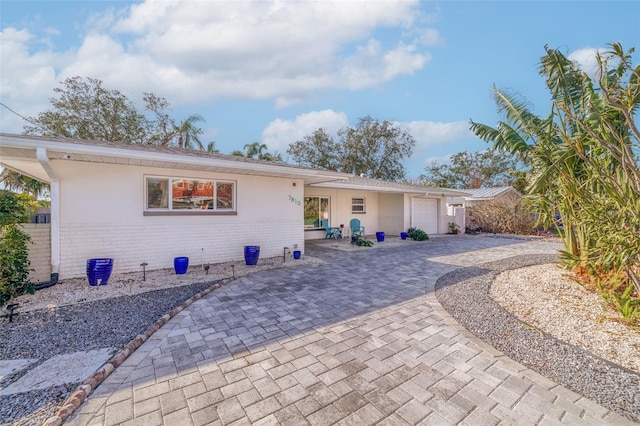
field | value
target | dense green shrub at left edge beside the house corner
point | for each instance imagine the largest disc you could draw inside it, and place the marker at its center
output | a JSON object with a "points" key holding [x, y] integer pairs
{"points": [[14, 252]]}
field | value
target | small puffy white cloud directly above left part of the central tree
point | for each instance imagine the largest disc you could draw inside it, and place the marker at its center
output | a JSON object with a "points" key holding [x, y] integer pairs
{"points": [[280, 133]]}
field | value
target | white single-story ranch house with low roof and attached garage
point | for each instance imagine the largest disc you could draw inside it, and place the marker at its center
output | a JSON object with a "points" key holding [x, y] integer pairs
{"points": [[147, 204]]}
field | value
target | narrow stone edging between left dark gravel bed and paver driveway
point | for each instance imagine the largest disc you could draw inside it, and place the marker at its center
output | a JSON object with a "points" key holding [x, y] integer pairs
{"points": [[91, 383]]}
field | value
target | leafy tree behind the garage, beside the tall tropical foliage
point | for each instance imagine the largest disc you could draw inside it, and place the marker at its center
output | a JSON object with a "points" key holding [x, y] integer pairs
{"points": [[466, 170]]}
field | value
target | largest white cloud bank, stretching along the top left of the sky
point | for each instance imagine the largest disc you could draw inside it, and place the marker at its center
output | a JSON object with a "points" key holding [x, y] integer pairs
{"points": [[195, 51]]}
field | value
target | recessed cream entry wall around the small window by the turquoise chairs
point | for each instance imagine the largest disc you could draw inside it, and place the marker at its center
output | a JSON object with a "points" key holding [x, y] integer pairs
{"points": [[340, 206]]}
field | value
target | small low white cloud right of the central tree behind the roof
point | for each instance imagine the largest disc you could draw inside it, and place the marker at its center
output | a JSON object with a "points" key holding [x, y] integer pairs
{"points": [[429, 133]]}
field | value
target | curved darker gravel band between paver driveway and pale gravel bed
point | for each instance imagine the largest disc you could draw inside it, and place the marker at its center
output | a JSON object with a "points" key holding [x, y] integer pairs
{"points": [[465, 294]]}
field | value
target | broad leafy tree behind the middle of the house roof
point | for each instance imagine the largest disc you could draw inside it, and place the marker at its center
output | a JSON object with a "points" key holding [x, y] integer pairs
{"points": [[372, 148]]}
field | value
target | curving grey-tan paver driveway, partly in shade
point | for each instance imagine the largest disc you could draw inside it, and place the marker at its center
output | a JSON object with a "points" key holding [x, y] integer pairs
{"points": [[359, 339]]}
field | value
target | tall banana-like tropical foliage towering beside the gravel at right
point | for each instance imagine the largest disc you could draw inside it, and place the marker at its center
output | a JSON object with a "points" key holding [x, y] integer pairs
{"points": [[583, 157]]}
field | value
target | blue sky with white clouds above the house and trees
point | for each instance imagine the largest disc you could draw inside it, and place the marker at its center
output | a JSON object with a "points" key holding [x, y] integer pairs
{"points": [[274, 72]]}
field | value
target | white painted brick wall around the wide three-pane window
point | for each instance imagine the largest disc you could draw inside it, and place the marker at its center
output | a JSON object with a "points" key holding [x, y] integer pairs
{"points": [[102, 209]]}
